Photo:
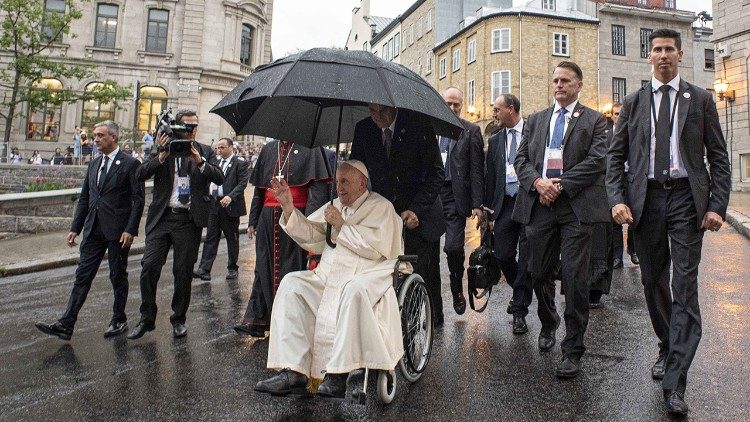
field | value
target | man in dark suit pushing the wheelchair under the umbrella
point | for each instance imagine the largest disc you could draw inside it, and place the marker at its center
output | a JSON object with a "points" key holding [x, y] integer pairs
{"points": [[402, 157]]}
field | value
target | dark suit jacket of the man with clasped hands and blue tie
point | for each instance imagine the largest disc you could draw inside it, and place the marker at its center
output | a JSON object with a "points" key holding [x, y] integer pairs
{"points": [[585, 147]]}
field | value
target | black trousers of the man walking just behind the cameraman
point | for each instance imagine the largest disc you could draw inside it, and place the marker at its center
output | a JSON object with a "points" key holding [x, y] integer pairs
{"points": [[220, 222]]}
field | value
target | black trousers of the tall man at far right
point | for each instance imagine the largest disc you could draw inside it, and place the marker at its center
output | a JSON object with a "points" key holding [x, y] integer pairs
{"points": [[668, 231]]}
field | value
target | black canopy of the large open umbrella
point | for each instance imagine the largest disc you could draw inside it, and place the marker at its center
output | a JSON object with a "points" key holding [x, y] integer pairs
{"points": [[316, 97]]}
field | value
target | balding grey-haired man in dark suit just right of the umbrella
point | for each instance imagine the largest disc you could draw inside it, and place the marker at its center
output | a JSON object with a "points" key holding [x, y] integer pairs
{"points": [[461, 192]]}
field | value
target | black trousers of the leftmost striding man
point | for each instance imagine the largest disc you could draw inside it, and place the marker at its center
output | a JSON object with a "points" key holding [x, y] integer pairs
{"points": [[92, 253]]}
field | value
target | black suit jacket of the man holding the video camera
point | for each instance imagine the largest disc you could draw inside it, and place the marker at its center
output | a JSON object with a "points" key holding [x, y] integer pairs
{"points": [[163, 174]]}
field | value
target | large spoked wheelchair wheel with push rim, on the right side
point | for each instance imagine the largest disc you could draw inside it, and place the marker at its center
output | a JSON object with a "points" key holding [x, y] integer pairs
{"points": [[416, 324]]}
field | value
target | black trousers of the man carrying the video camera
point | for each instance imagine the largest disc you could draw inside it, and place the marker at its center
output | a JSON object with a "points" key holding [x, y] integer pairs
{"points": [[177, 231]]}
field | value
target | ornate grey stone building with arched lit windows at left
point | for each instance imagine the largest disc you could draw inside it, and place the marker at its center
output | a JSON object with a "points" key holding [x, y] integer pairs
{"points": [[174, 53]]}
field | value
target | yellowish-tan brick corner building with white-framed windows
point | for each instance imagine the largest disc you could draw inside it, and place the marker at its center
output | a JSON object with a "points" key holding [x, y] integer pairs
{"points": [[515, 50]]}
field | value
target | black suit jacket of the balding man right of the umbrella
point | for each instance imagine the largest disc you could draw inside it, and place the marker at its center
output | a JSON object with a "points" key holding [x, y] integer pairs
{"points": [[467, 169]]}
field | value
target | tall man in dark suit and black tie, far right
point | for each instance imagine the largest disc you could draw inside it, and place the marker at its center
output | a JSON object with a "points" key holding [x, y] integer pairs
{"points": [[670, 198]]}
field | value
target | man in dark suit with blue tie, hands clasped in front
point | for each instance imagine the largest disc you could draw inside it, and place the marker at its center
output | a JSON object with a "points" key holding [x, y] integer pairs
{"points": [[560, 166]]}
